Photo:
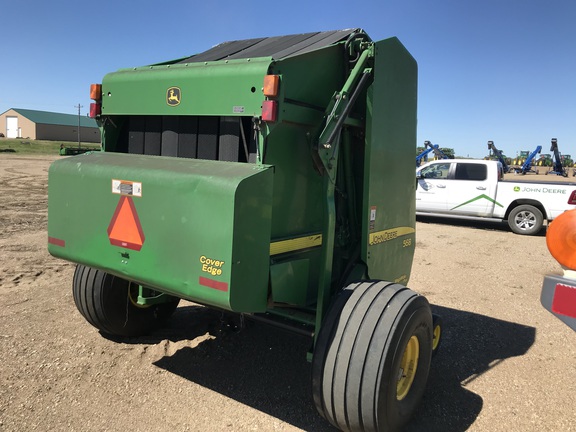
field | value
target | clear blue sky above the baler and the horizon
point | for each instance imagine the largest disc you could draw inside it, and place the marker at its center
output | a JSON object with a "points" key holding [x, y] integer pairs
{"points": [[501, 70]]}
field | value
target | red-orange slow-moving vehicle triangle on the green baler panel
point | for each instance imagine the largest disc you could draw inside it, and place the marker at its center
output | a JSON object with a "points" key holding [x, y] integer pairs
{"points": [[125, 229]]}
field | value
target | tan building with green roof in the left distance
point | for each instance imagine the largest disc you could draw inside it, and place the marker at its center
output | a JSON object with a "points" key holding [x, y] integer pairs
{"points": [[44, 125]]}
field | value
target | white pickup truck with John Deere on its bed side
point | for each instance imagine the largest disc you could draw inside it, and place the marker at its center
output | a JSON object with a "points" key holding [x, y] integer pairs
{"points": [[469, 188]]}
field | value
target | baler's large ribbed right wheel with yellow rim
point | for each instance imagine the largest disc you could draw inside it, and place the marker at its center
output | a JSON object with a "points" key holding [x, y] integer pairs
{"points": [[372, 357]]}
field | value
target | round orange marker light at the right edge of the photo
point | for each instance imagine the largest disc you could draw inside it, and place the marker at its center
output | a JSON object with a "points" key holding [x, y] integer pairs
{"points": [[561, 239]]}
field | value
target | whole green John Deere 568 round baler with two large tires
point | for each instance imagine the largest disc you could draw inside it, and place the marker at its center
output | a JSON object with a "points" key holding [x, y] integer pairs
{"points": [[269, 178]]}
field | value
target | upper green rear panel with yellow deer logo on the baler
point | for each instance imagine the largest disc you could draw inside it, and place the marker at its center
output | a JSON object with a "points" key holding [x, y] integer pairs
{"points": [[213, 88]]}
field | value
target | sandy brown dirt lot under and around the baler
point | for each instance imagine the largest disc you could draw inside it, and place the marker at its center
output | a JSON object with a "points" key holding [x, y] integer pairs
{"points": [[505, 363]]}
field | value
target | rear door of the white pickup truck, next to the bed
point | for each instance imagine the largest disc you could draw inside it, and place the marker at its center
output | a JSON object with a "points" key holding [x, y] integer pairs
{"points": [[470, 191]]}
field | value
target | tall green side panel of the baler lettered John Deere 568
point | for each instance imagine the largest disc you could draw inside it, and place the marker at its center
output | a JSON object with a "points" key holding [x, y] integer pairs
{"points": [[389, 181]]}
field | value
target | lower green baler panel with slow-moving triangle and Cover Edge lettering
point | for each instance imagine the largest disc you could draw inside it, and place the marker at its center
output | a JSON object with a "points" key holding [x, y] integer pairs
{"points": [[194, 228]]}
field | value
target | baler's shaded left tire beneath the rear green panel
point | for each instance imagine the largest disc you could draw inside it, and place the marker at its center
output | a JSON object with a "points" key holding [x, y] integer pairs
{"points": [[109, 304]]}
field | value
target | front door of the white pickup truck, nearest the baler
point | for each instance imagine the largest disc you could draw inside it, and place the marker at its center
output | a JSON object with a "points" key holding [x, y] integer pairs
{"points": [[431, 192]]}
